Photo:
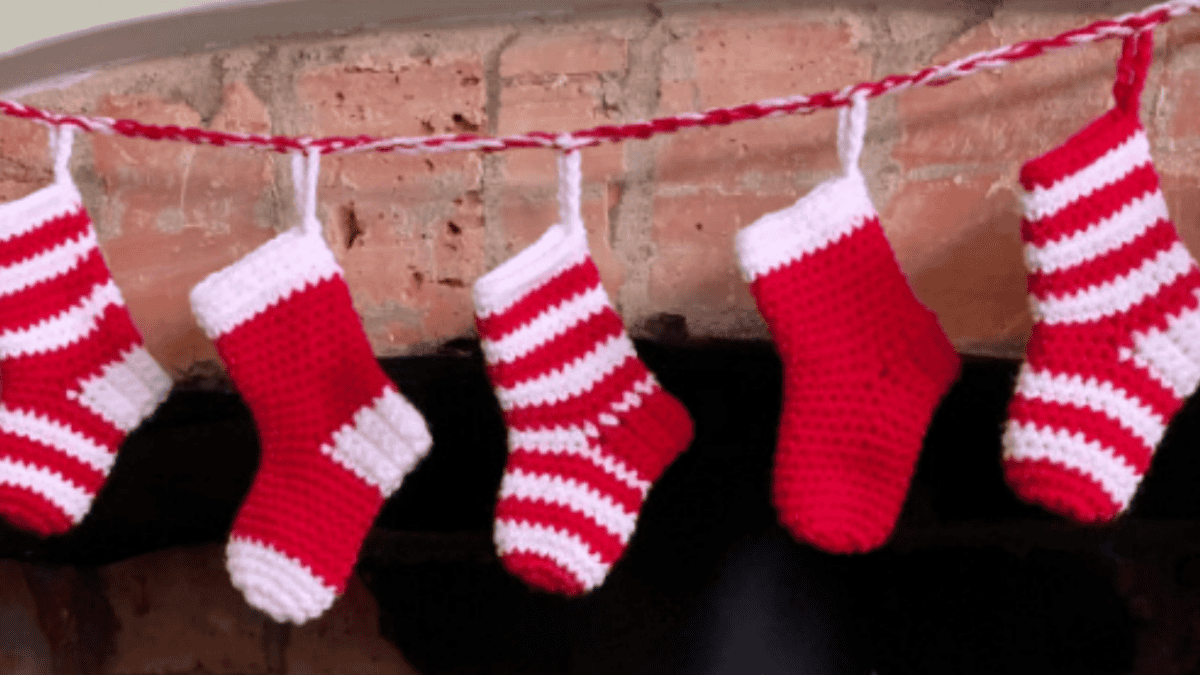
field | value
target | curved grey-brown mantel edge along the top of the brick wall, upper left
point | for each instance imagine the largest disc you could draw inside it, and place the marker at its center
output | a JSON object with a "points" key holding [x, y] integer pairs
{"points": [[263, 21]]}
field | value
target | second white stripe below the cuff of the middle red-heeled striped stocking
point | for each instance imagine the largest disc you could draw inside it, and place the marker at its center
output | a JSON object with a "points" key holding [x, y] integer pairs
{"points": [[573, 380]]}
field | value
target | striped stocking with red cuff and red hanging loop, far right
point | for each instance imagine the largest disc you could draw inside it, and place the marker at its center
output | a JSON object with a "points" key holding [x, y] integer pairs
{"points": [[1115, 349]]}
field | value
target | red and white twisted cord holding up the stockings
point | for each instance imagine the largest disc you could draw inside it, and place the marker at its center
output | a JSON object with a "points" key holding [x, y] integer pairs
{"points": [[931, 76]]}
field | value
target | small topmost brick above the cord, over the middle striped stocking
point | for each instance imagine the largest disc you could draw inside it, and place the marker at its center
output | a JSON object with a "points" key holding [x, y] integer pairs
{"points": [[563, 51]]}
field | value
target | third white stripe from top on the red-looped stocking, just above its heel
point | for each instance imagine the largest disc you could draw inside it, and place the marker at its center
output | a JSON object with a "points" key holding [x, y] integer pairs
{"points": [[1117, 296]]}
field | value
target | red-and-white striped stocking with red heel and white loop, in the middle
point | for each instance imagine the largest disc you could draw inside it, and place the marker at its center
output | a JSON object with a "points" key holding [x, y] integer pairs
{"points": [[590, 428]]}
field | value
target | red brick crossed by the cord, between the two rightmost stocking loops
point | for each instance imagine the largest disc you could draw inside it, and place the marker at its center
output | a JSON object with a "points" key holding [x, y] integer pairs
{"points": [[1013, 115]]}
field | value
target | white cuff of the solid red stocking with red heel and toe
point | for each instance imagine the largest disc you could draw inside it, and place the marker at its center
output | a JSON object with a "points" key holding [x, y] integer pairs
{"points": [[832, 211]]}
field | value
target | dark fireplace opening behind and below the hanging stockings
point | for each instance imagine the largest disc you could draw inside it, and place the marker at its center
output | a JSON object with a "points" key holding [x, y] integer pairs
{"points": [[971, 582]]}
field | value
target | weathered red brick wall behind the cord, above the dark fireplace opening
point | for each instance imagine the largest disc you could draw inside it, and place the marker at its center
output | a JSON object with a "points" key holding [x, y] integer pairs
{"points": [[415, 232]]}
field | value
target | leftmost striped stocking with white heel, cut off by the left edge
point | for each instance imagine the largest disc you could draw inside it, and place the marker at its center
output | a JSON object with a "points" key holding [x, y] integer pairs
{"points": [[76, 375]]}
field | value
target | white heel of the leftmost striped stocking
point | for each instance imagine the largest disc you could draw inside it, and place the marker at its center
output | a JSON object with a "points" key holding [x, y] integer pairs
{"points": [[127, 391]]}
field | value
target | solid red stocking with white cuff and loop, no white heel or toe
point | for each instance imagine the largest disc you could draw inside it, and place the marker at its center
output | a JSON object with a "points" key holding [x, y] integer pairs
{"points": [[865, 362]]}
